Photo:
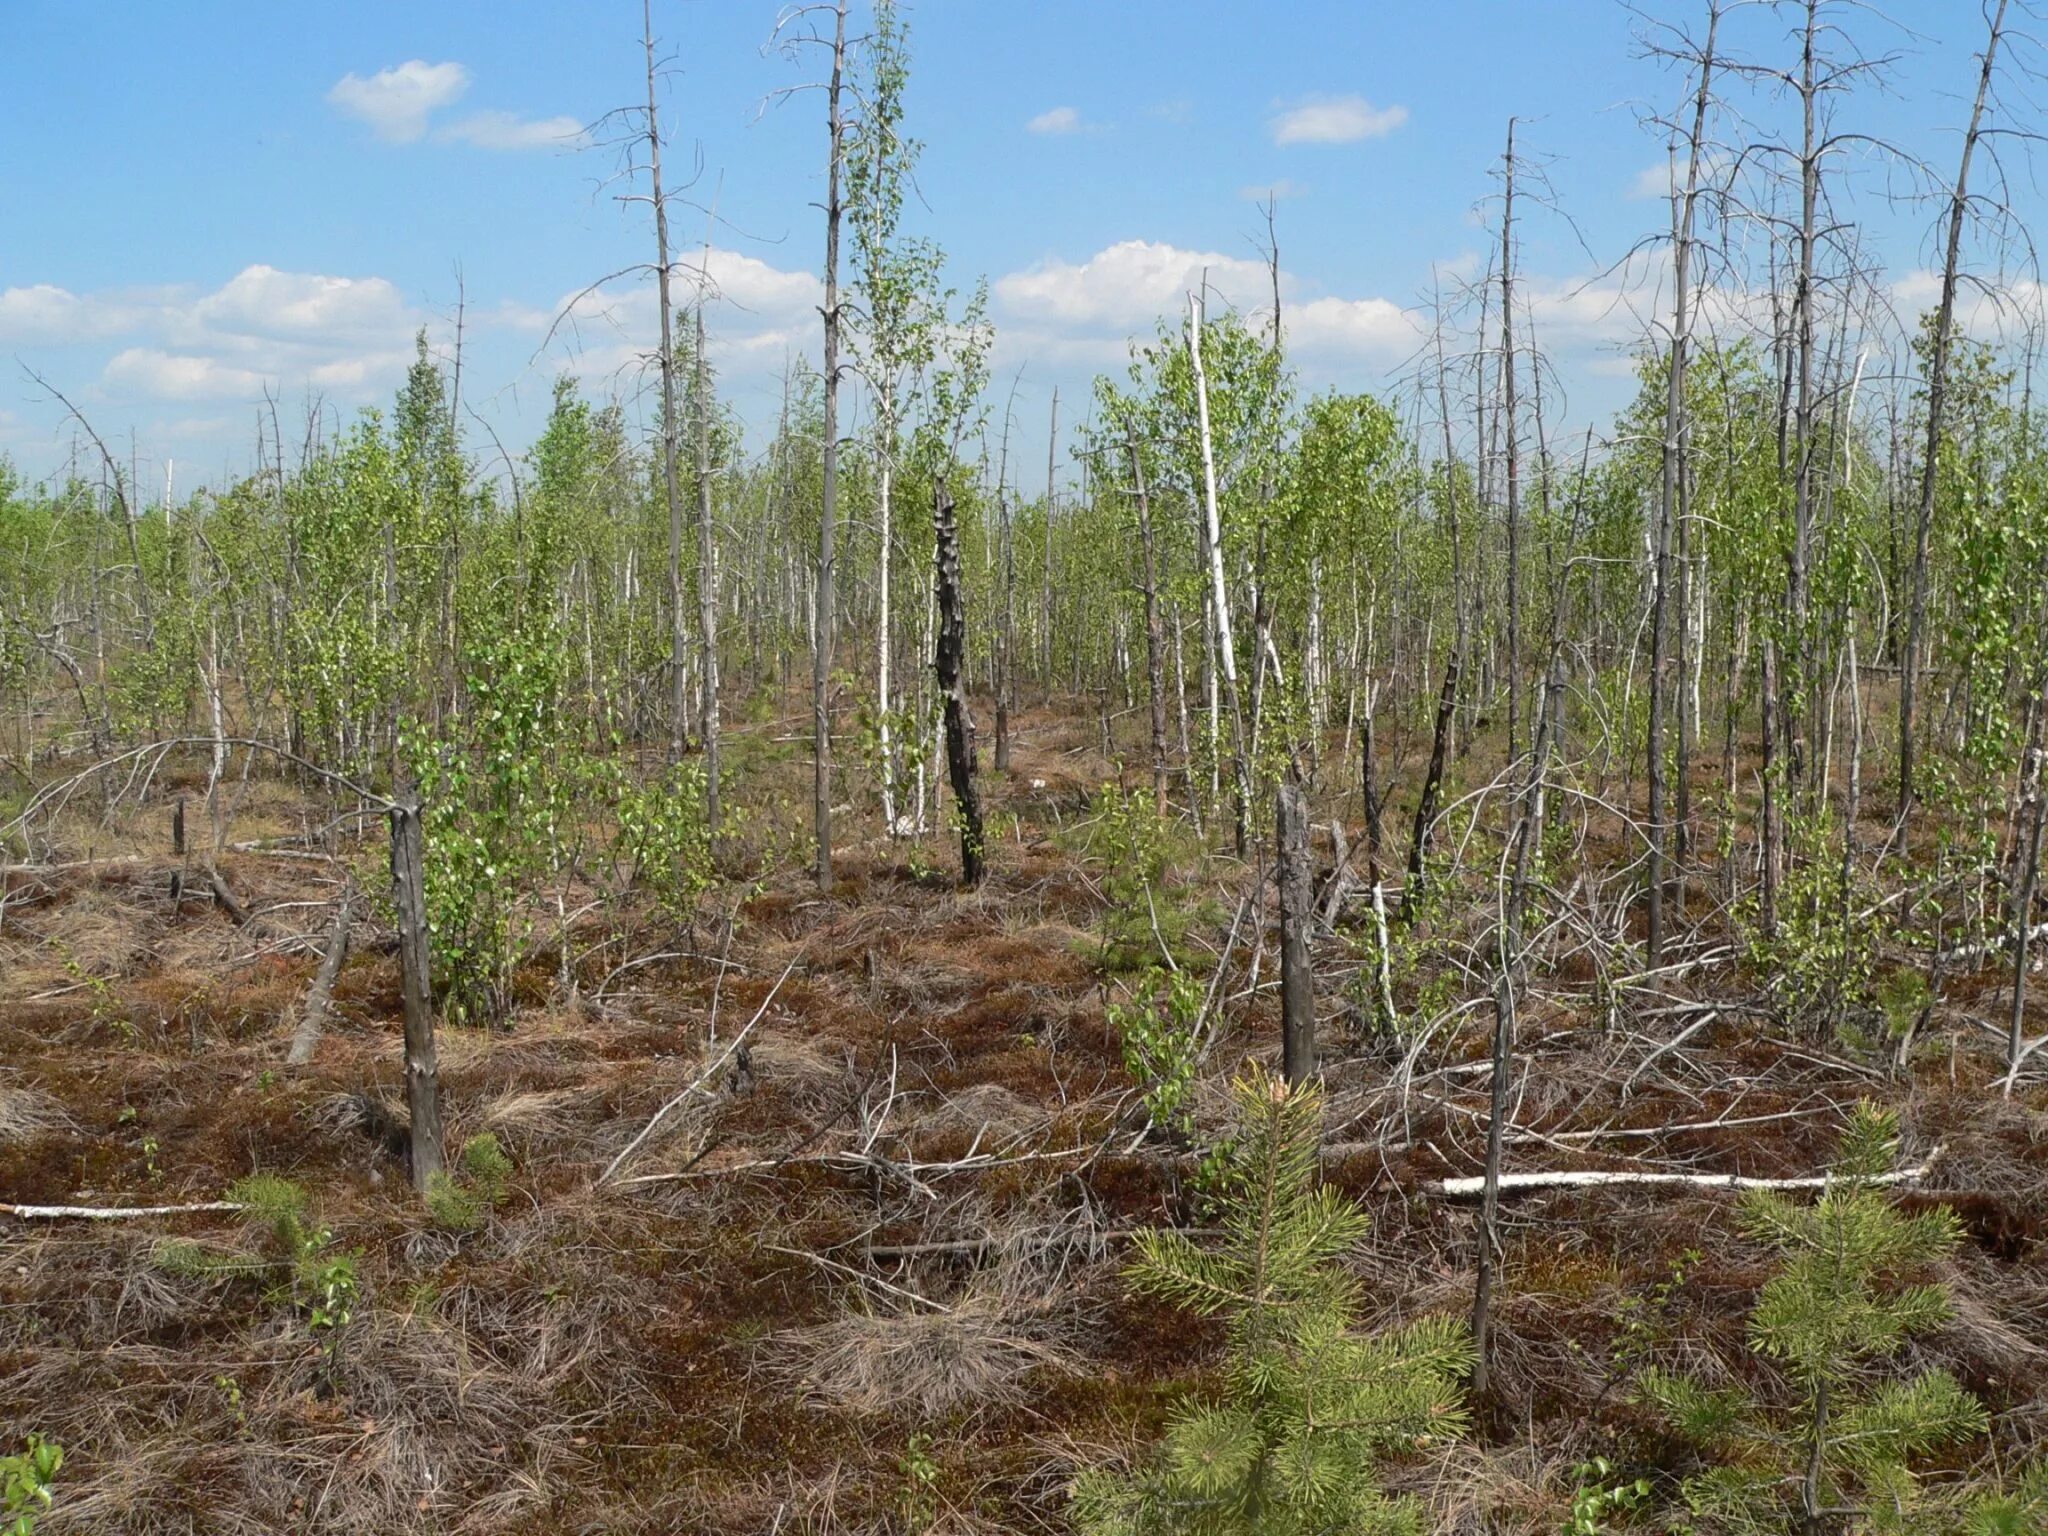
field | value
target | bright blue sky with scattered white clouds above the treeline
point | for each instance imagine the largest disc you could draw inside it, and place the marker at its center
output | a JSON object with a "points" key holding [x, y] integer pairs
{"points": [[208, 200]]}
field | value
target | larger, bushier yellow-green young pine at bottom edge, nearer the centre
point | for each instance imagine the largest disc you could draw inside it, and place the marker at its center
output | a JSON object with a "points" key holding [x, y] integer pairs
{"points": [[1310, 1406]]}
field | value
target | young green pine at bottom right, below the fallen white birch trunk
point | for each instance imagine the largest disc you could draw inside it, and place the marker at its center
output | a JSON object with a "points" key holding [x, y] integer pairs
{"points": [[1834, 1320]]}
